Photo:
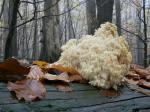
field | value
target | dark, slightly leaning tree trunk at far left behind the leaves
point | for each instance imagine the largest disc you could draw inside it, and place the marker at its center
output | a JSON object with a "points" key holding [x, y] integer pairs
{"points": [[11, 41]]}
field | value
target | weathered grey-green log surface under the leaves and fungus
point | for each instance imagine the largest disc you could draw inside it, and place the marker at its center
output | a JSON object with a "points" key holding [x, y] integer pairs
{"points": [[83, 98]]}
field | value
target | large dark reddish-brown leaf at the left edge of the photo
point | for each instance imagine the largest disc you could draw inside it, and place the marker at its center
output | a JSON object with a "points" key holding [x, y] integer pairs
{"points": [[11, 70]]}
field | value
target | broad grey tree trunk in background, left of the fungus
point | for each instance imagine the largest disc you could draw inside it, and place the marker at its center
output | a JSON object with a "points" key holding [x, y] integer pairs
{"points": [[51, 46]]}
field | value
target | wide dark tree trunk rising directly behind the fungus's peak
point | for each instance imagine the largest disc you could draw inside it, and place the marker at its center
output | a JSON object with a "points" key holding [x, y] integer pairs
{"points": [[104, 11]]}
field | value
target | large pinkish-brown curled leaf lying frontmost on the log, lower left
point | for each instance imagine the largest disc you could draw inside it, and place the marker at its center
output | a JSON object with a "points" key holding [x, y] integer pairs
{"points": [[27, 89]]}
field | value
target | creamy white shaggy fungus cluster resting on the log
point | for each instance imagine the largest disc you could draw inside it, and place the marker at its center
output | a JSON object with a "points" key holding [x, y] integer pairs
{"points": [[102, 58]]}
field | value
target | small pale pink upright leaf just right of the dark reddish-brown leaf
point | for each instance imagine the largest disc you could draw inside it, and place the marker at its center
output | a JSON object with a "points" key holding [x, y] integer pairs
{"points": [[35, 73]]}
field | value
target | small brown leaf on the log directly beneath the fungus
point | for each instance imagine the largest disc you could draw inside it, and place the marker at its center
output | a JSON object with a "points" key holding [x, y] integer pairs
{"points": [[109, 92]]}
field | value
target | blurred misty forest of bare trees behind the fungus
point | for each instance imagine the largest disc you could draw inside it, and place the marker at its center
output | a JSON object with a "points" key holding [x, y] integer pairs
{"points": [[36, 29]]}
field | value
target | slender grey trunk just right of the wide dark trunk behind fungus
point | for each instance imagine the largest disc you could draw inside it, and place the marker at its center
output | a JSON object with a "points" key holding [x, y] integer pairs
{"points": [[118, 15]]}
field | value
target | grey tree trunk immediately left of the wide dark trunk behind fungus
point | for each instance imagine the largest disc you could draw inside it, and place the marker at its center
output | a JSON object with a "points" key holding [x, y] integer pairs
{"points": [[91, 15]]}
